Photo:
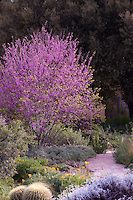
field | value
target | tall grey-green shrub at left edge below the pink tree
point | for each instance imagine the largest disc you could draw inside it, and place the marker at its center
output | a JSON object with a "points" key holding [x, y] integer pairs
{"points": [[13, 142]]}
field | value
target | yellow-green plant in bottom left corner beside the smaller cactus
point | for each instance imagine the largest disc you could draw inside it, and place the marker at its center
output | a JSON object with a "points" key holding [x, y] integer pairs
{"points": [[5, 186]]}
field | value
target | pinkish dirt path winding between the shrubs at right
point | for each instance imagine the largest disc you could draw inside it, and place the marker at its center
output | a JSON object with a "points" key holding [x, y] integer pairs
{"points": [[105, 164]]}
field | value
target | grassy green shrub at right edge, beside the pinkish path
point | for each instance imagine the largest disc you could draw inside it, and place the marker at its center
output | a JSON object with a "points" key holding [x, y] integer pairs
{"points": [[124, 152]]}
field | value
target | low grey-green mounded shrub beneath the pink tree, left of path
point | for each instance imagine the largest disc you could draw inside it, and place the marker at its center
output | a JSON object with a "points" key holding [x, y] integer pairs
{"points": [[66, 153]]}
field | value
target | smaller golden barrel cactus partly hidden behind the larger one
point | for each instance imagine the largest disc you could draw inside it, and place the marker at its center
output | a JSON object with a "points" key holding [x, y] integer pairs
{"points": [[16, 193]]}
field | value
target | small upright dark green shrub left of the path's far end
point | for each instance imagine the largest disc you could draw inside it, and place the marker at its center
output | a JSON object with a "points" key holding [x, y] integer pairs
{"points": [[99, 139]]}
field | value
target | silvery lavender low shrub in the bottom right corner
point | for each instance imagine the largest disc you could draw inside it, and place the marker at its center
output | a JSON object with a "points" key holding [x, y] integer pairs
{"points": [[109, 188]]}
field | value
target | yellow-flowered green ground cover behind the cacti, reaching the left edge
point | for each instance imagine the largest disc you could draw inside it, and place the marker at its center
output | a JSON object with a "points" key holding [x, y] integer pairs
{"points": [[35, 170]]}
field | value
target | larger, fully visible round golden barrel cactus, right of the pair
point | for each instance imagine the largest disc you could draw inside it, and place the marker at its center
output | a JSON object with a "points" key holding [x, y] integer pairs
{"points": [[37, 191]]}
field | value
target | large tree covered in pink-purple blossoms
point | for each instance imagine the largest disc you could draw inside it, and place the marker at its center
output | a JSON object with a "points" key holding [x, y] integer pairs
{"points": [[46, 80]]}
